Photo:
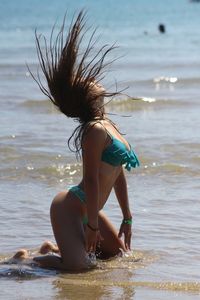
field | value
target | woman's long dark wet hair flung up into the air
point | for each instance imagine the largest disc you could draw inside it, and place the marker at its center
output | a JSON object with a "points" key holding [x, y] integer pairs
{"points": [[69, 73]]}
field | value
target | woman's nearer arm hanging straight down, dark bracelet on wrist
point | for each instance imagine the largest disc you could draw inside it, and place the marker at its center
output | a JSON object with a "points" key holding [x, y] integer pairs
{"points": [[93, 145]]}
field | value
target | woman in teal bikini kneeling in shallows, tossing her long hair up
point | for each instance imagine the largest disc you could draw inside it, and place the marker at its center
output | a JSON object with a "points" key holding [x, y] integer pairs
{"points": [[79, 225]]}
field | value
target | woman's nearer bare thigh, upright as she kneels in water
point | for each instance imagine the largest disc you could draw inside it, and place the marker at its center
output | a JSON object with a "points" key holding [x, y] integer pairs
{"points": [[66, 218]]}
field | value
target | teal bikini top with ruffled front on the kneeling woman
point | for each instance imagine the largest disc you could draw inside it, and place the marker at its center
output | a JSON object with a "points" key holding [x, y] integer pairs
{"points": [[117, 154]]}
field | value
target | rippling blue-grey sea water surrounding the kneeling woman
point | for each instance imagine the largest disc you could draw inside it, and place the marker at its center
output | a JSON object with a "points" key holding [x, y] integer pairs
{"points": [[161, 119]]}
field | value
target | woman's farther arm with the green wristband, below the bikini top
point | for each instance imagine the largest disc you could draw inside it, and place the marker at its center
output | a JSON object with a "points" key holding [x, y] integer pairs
{"points": [[121, 192]]}
